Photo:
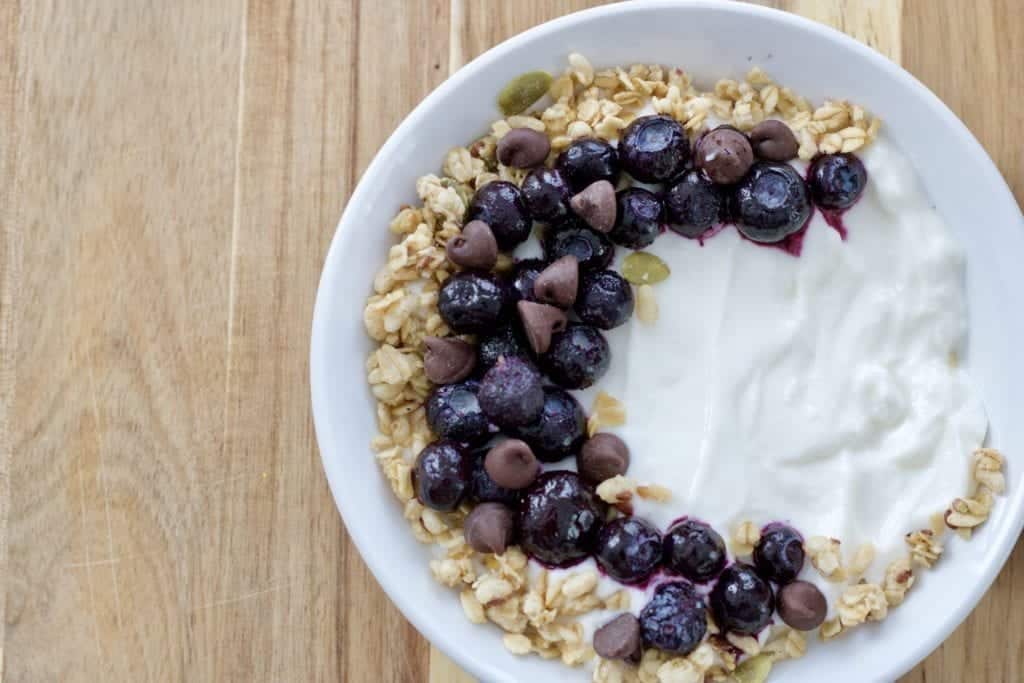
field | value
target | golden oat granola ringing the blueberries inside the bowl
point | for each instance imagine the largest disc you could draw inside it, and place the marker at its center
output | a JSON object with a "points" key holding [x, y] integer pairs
{"points": [[539, 611]]}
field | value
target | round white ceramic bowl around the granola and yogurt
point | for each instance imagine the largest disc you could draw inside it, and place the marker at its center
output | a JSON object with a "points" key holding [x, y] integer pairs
{"points": [[711, 40]]}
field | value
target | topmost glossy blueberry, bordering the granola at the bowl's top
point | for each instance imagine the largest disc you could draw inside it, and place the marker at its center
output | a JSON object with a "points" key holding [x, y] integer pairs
{"points": [[655, 149]]}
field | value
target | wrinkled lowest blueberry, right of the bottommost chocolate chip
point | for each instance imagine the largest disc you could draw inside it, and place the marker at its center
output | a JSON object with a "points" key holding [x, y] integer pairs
{"points": [[674, 621]]}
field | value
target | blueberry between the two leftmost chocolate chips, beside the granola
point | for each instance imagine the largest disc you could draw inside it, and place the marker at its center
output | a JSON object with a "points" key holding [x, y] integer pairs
{"points": [[474, 302]]}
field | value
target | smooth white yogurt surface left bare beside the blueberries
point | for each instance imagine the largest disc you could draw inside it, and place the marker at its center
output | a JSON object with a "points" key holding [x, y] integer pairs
{"points": [[822, 391]]}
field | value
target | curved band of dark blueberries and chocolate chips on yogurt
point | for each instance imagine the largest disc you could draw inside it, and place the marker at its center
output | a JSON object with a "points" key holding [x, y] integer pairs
{"points": [[502, 406]]}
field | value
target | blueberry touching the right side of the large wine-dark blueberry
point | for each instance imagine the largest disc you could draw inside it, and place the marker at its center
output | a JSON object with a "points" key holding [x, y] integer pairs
{"points": [[629, 550]]}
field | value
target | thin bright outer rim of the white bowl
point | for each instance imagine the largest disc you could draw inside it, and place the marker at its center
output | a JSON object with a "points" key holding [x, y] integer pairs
{"points": [[418, 614]]}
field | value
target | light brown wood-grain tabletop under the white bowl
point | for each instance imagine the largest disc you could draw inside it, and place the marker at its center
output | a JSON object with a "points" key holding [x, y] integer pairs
{"points": [[173, 174]]}
